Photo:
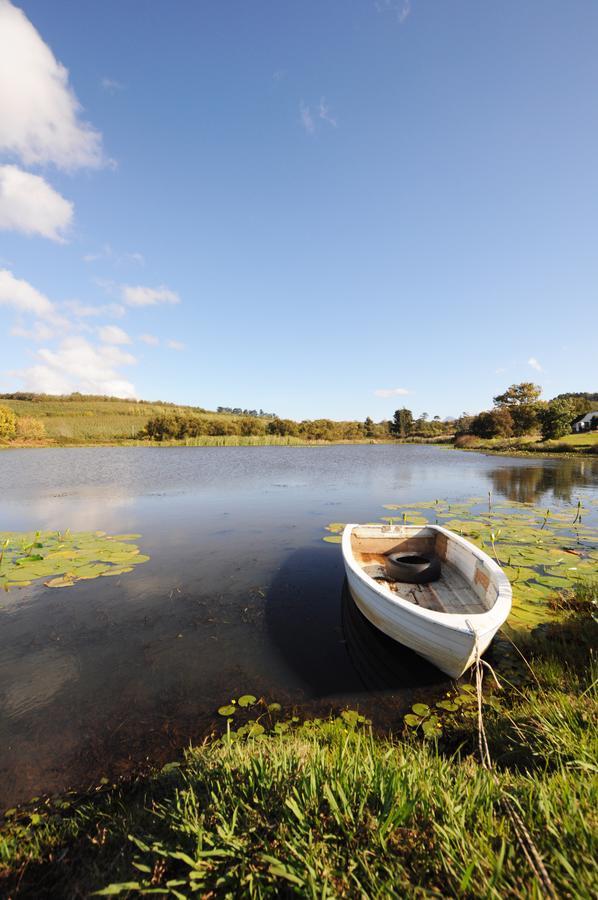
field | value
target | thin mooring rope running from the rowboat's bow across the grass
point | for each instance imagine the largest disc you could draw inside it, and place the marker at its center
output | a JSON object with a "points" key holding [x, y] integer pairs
{"points": [[522, 834]]}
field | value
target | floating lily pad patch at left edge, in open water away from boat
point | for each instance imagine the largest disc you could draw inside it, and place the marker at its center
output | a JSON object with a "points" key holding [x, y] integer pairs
{"points": [[63, 558]]}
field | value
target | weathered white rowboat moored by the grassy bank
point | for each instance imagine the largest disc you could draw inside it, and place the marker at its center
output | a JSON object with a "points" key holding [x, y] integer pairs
{"points": [[449, 621]]}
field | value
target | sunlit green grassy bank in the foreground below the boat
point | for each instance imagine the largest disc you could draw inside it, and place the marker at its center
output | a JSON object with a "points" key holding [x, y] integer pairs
{"points": [[326, 809]]}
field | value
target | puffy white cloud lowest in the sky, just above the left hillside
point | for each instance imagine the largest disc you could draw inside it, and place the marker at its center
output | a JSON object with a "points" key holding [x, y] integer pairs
{"points": [[78, 365]]}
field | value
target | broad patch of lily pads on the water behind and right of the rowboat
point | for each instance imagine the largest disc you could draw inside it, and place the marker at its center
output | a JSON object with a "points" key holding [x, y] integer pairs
{"points": [[544, 552]]}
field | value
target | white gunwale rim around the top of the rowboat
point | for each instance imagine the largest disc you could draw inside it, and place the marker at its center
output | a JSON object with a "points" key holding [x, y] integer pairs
{"points": [[461, 622]]}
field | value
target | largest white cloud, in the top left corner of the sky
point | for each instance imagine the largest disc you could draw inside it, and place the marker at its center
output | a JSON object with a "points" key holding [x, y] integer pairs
{"points": [[40, 121]]}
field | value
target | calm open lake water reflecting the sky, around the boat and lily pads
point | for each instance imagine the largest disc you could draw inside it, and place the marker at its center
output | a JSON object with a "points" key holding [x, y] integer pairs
{"points": [[240, 595]]}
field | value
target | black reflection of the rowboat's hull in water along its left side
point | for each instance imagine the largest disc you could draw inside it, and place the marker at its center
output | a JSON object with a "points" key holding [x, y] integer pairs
{"points": [[381, 663]]}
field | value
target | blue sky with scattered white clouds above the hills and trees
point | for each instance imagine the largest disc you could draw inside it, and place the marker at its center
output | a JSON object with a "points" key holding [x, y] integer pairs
{"points": [[317, 208]]}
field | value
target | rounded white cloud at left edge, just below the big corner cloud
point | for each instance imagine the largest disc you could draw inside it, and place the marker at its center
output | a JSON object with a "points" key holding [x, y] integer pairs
{"points": [[30, 205]]}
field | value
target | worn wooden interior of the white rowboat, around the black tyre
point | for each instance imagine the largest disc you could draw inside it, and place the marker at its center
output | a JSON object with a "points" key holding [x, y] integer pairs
{"points": [[463, 587]]}
